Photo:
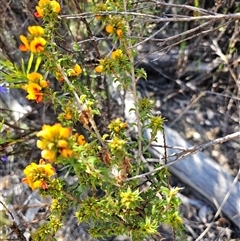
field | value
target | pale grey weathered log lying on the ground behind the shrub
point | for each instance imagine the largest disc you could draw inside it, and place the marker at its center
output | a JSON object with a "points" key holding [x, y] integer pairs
{"points": [[201, 173]]}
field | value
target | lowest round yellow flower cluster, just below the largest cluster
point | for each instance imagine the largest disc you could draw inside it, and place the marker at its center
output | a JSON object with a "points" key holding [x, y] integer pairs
{"points": [[38, 175]]}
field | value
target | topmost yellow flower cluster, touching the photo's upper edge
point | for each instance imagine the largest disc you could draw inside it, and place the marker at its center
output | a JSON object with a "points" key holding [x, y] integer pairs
{"points": [[47, 6]]}
